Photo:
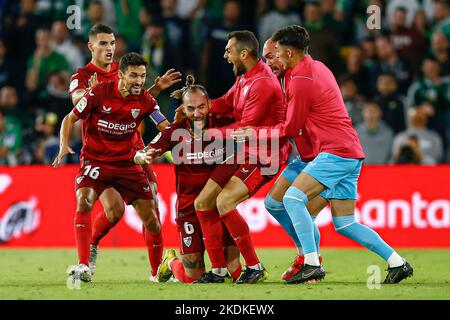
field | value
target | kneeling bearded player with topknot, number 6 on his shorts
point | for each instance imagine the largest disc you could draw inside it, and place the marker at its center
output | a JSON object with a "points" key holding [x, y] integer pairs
{"points": [[195, 162]]}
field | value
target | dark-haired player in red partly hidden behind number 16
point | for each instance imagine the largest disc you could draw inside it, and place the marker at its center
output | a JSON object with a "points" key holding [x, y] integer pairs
{"points": [[103, 68]]}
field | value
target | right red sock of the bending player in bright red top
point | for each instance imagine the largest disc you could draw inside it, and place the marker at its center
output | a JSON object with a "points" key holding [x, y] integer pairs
{"points": [[240, 232]]}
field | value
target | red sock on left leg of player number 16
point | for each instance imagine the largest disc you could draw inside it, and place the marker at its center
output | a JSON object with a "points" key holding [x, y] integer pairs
{"points": [[83, 234]]}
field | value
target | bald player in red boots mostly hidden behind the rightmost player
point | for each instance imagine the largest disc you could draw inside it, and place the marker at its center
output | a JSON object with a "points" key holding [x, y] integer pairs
{"points": [[274, 199]]}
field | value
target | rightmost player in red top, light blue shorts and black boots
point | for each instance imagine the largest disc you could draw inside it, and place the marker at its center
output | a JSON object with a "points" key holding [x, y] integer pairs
{"points": [[315, 104]]}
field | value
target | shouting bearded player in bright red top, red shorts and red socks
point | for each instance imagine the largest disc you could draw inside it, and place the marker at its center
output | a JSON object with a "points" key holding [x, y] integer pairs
{"points": [[255, 99]]}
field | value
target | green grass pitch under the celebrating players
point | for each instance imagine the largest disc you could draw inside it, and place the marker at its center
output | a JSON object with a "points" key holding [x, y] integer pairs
{"points": [[122, 274]]}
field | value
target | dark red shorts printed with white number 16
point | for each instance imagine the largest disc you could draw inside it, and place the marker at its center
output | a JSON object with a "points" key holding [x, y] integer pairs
{"points": [[128, 179]]}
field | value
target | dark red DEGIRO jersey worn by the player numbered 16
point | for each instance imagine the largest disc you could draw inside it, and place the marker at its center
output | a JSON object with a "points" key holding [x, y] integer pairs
{"points": [[111, 121]]}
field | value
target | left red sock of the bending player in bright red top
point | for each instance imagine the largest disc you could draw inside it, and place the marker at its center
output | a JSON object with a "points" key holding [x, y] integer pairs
{"points": [[213, 236]]}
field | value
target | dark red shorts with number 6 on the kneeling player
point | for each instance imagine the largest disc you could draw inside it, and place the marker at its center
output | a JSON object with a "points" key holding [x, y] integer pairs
{"points": [[191, 236]]}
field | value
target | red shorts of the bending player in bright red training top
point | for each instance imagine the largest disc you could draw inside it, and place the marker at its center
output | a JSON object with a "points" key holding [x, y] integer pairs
{"points": [[250, 174]]}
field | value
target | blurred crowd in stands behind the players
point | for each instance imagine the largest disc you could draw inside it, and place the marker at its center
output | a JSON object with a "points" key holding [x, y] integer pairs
{"points": [[395, 80]]}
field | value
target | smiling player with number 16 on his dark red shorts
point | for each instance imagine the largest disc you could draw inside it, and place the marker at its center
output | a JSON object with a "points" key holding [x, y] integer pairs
{"points": [[112, 111]]}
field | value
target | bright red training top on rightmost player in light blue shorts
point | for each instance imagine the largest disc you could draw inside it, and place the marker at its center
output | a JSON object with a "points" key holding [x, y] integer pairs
{"points": [[314, 102]]}
